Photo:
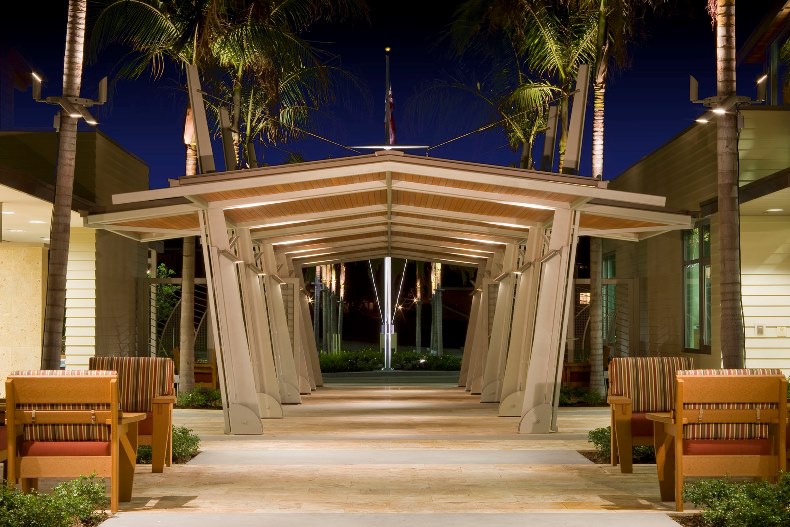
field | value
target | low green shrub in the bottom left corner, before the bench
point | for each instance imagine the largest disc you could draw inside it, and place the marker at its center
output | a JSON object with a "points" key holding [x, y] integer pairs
{"points": [[80, 502]]}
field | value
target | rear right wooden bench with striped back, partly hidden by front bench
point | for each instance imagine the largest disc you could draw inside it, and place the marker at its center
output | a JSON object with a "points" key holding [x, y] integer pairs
{"points": [[638, 386]]}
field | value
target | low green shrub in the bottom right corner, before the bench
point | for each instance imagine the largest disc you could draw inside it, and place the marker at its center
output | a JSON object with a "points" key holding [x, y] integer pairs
{"points": [[728, 503]]}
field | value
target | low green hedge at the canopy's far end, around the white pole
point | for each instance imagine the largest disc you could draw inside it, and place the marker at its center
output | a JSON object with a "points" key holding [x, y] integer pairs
{"points": [[371, 360]]}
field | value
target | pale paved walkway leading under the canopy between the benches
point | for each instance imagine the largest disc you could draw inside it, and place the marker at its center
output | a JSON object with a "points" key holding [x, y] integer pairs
{"points": [[396, 455]]}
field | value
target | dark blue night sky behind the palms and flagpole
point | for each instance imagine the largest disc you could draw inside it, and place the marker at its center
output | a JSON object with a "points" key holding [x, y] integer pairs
{"points": [[646, 104]]}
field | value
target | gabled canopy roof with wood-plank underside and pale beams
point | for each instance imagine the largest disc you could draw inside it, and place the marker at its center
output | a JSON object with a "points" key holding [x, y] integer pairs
{"points": [[386, 204]]}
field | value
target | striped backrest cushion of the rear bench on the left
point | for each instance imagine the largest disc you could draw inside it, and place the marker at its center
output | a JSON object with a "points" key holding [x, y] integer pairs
{"points": [[140, 379]]}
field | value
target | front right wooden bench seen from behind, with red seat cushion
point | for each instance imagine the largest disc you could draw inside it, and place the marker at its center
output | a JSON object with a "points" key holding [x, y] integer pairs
{"points": [[724, 423]]}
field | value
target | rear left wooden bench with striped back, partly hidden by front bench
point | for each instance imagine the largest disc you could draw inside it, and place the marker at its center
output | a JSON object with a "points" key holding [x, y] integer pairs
{"points": [[146, 385]]}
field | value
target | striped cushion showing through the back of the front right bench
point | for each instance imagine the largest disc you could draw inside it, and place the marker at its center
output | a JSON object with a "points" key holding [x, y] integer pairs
{"points": [[727, 431]]}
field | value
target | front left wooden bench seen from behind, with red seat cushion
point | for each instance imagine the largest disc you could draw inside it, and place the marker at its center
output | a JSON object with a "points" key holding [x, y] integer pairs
{"points": [[68, 423]]}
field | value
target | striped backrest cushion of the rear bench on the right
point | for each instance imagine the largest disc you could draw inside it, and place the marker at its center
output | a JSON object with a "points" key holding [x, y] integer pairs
{"points": [[648, 381]]}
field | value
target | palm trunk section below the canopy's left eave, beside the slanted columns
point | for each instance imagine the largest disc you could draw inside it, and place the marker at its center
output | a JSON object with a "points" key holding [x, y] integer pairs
{"points": [[186, 361]]}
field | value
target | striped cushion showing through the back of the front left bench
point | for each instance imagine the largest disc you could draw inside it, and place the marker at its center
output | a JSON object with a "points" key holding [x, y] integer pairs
{"points": [[78, 432]]}
